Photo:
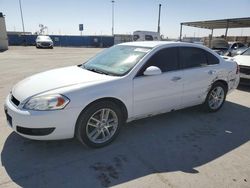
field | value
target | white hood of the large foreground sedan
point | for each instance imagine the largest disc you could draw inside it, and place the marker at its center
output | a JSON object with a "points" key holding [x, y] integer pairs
{"points": [[55, 79]]}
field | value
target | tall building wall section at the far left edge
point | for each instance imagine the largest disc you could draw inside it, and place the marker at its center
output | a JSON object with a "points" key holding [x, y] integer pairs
{"points": [[3, 34]]}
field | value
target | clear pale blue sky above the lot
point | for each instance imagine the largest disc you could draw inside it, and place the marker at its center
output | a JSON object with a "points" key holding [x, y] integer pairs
{"points": [[63, 17]]}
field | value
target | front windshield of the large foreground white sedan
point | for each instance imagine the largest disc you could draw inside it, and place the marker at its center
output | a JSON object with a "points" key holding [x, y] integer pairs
{"points": [[117, 60]]}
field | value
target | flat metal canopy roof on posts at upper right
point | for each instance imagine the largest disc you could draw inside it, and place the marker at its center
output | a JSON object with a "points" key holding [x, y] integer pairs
{"points": [[220, 24]]}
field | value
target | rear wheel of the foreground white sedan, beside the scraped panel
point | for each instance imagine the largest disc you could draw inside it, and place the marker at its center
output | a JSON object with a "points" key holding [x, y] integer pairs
{"points": [[215, 97]]}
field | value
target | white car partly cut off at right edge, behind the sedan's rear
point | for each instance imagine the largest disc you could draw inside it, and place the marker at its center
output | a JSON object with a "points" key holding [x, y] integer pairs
{"points": [[244, 62]]}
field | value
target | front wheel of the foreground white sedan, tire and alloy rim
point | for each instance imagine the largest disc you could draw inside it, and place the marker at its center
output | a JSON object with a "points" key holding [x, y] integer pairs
{"points": [[87, 126]]}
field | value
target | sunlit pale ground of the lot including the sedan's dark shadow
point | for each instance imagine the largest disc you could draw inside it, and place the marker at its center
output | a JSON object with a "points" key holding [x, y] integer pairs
{"points": [[187, 148]]}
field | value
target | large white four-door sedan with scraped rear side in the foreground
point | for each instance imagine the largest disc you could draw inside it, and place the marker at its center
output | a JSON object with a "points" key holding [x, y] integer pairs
{"points": [[125, 82]]}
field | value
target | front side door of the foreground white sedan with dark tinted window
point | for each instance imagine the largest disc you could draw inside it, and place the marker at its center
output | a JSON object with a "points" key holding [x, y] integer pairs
{"points": [[159, 93]]}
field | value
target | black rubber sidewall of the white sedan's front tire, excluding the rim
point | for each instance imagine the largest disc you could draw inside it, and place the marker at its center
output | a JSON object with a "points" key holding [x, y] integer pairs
{"points": [[87, 113]]}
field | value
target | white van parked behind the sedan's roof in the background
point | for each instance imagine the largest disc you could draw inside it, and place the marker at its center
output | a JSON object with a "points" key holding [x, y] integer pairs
{"points": [[146, 36]]}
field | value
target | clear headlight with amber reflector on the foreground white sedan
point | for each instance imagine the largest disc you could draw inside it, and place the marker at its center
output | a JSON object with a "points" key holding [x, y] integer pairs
{"points": [[47, 102]]}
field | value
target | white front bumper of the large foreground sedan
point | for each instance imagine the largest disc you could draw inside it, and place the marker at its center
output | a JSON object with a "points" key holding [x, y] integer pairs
{"points": [[41, 125]]}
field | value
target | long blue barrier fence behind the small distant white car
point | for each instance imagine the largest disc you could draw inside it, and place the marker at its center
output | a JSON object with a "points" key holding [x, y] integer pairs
{"points": [[64, 40]]}
